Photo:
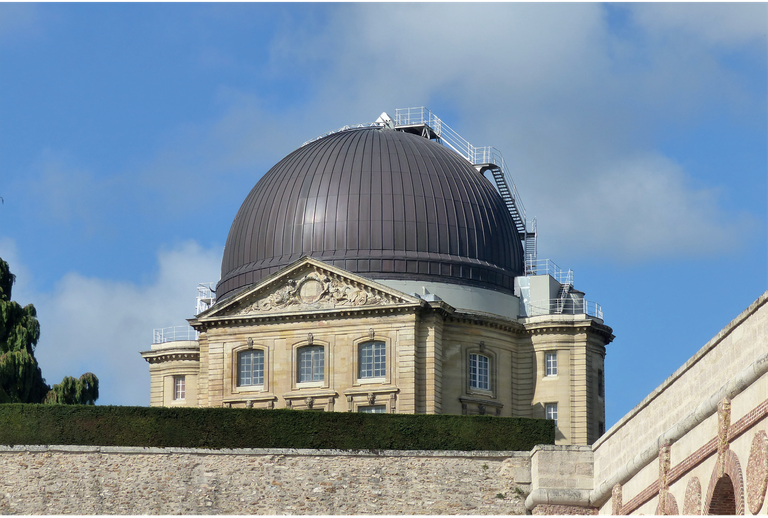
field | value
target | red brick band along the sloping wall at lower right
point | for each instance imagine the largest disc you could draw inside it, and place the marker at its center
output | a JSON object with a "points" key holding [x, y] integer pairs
{"points": [[747, 422]]}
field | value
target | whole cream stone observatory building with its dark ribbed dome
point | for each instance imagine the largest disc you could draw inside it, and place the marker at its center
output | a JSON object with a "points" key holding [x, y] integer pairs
{"points": [[375, 270]]}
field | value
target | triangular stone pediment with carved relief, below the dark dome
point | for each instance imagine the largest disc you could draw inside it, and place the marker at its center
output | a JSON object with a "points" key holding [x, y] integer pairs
{"points": [[308, 285]]}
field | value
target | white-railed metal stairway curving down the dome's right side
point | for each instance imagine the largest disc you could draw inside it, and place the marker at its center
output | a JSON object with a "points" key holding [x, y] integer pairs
{"points": [[421, 121]]}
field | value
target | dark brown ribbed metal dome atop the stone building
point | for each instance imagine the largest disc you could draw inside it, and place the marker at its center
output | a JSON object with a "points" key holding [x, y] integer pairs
{"points": [[378, 202]]}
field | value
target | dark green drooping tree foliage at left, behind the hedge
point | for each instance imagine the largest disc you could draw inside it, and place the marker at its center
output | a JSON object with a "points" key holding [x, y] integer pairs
{"points": [[21, 380]]}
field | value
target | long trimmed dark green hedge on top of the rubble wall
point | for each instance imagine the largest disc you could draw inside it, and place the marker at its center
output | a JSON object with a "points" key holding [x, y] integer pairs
{"points": [[26, 424]]}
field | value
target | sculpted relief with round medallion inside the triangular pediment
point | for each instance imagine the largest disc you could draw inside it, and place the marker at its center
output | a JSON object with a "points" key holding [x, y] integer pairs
{"points": [[312, 292]]}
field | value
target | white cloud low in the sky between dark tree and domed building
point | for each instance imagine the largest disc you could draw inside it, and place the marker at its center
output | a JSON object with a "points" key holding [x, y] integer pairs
{"points": [[100, 325]]}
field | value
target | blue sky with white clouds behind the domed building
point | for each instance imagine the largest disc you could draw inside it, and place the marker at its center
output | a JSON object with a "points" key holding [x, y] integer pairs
{"points": [[130, 133]]}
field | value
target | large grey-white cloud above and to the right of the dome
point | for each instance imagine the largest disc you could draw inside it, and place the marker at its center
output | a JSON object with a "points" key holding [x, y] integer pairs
{"points": [[572, 105]]}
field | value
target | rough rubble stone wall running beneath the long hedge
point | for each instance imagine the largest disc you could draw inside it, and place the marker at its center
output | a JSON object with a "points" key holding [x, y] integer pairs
{"points": [[76, 480]]}
